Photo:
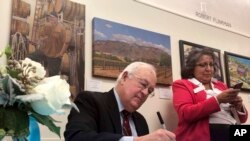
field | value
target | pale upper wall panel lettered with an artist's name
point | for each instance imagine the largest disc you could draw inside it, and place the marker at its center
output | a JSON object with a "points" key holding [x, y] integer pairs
{"points": [[232, 17]]}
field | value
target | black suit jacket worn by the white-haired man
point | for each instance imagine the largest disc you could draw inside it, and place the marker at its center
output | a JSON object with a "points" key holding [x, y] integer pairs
{"points": [[99, 119]]}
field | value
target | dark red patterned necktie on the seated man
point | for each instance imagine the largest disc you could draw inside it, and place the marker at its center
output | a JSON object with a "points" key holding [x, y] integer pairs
{"points": [[125, 125]]}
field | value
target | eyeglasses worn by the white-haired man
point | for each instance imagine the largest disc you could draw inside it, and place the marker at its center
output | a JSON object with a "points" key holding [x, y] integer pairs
{"points": [[144, 84]]}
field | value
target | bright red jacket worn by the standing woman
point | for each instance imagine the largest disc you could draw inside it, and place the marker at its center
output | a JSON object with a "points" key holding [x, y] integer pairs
{"points": [[193, 110]]}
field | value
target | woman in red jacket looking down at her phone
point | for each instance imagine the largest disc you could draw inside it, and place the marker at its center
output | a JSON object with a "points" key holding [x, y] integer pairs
{"points": [[203, 104]]}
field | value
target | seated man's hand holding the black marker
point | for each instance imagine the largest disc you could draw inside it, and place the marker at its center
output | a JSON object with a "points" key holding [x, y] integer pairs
{"points": [[158, 135]]}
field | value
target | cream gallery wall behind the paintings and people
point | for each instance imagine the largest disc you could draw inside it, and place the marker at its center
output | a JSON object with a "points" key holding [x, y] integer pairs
{"points": [[137, 15]]}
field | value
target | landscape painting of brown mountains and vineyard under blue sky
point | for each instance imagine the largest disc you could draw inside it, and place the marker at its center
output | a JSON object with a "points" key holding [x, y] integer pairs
{"points": [[116, 45]]}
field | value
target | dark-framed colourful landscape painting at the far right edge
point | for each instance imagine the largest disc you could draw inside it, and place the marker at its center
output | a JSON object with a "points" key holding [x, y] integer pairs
{"points": [[237, 68]]}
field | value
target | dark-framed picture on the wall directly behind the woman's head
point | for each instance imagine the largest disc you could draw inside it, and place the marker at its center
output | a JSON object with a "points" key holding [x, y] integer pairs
{"points": [[186, 47]]}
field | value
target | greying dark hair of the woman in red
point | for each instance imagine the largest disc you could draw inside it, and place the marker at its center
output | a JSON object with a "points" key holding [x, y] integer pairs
{"points": [[191, 60]]}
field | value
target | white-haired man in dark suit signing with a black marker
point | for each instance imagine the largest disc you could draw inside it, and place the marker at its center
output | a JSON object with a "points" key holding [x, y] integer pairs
{"points": [[101, 114]]}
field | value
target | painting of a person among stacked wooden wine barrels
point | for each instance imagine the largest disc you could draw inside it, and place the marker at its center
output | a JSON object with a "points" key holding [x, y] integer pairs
{"points": [[52, 33]]}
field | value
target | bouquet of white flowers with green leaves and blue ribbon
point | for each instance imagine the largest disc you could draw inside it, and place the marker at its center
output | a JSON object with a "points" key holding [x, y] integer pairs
{"points": [[24, 92]]}
